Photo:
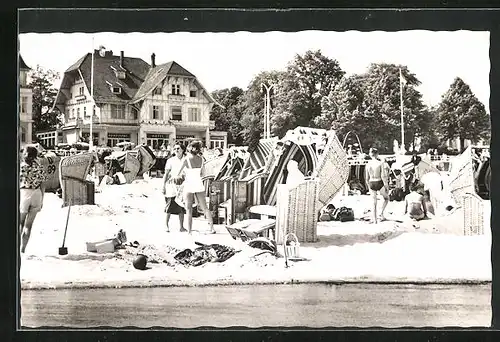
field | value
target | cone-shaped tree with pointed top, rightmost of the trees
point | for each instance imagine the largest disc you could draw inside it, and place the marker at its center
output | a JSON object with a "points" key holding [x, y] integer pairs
{"points": [[462, 115]]}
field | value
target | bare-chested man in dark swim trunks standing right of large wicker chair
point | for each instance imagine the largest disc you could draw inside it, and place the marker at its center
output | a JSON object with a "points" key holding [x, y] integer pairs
{"points": [[377, 178]]}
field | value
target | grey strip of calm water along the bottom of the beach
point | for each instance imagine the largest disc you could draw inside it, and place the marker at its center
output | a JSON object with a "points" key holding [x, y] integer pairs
{"points": [[309, 305]]}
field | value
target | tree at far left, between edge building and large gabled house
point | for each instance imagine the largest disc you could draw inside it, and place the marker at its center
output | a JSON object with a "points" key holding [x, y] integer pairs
{"points": [[44, 95]]}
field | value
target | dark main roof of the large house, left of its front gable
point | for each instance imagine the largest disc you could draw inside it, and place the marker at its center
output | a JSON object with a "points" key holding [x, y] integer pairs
{"points": [[136, 71]]}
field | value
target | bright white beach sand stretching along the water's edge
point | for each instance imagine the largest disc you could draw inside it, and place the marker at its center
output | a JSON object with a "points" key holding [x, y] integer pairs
{"points": [[351, 251]]}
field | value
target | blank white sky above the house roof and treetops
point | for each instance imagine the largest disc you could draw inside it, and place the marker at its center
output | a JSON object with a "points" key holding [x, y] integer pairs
{"points": [[224, 60]]}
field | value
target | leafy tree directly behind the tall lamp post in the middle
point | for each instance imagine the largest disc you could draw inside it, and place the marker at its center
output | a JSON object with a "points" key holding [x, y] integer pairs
{"points": [[252, 107]]}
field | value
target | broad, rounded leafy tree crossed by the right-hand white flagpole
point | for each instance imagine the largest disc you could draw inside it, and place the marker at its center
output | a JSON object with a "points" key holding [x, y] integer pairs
{"points": [[369, 105]]}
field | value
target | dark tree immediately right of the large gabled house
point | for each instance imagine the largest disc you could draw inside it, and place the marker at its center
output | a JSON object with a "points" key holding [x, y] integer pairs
{"points": [[228, 117]]}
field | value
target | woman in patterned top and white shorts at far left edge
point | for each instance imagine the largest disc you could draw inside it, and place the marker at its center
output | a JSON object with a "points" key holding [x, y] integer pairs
{"points": [[32, 177]]}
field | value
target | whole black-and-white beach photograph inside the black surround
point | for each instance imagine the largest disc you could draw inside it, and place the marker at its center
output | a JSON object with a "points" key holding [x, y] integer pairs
{"points": [[254, 179]]}
